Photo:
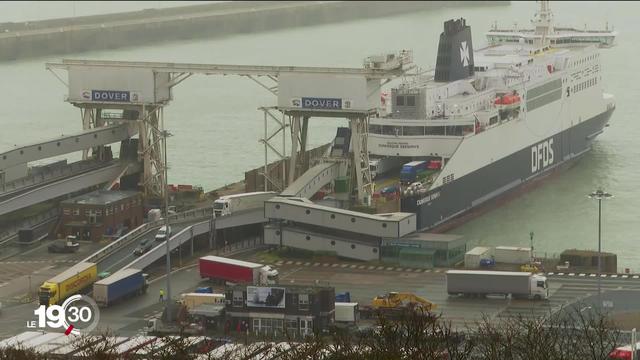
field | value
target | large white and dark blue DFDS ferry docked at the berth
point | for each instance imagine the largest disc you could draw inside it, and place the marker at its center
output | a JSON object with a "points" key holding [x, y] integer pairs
{"points": [[491, 120]]}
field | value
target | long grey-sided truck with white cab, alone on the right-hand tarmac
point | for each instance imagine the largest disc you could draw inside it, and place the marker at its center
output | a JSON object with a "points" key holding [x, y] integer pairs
{"points": [[475, 283]]}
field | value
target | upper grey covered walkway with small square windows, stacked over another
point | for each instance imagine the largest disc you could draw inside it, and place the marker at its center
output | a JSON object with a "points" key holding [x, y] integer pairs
{"points": [[392, 225]]}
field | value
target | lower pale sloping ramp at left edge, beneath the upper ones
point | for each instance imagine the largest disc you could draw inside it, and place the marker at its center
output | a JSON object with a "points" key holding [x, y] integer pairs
{"points": [[49, 191]]}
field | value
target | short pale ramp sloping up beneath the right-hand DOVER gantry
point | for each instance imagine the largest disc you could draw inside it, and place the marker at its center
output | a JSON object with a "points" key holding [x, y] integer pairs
{"points": [[313, 180]]}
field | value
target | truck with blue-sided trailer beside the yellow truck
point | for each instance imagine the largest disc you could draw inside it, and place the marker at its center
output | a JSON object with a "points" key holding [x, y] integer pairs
{"points": [[121, 285]]}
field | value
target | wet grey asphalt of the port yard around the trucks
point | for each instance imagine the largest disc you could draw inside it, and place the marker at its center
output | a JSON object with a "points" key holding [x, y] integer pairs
{"points": [[128, 318]]}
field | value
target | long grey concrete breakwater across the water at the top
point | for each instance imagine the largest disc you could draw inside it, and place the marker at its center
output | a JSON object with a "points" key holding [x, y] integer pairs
{"points": [[20, 40]]}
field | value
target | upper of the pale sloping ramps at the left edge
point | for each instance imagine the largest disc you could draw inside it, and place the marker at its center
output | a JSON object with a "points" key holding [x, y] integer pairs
{"points": [[65, 144]]}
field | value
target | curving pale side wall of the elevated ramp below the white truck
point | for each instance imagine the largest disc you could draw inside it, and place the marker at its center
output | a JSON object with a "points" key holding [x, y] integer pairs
{"points": [[241, 218]]}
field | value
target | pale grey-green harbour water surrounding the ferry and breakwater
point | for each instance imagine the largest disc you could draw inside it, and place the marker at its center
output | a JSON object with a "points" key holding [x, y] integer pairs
{"points": [[216, 125]]}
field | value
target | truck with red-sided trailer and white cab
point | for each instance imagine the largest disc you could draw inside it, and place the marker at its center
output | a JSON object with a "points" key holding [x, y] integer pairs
{"points": [[220, 269]]}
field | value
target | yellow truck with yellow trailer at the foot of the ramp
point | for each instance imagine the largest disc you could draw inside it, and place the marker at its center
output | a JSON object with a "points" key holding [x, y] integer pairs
{"points": [[69, 282]]}
